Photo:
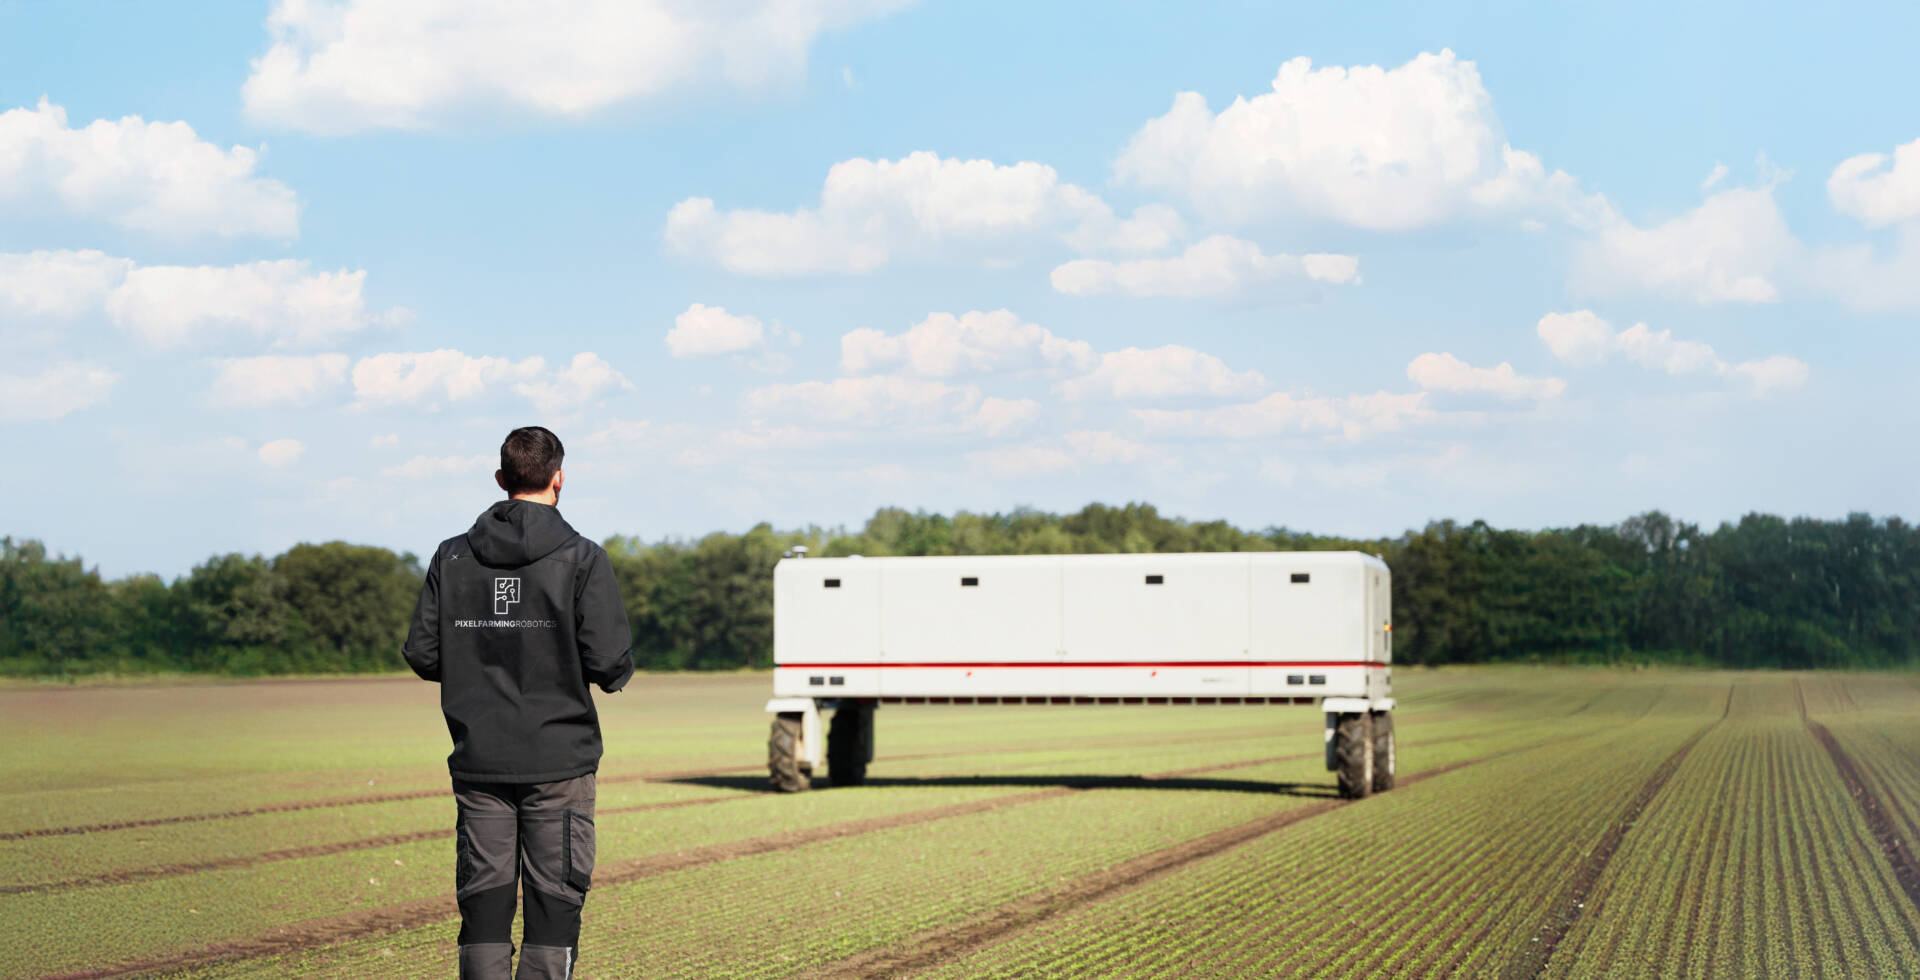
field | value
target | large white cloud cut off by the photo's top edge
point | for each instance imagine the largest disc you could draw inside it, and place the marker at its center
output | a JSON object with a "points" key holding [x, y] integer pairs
{"points": [[341, 66]]}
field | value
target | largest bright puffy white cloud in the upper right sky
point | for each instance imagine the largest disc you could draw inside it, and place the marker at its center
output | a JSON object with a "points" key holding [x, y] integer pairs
{"points": [[1368, 147]]}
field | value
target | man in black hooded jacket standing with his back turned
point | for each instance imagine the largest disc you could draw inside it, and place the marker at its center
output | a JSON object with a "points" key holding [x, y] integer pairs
{"points": [[516, 620]]}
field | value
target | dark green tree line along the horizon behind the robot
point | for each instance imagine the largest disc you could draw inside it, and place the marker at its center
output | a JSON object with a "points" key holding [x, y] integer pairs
{"points": [[1758, 593]]}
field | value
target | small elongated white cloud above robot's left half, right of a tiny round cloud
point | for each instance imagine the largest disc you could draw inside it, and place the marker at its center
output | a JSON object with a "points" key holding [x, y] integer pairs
{"points": [[974, 343]]}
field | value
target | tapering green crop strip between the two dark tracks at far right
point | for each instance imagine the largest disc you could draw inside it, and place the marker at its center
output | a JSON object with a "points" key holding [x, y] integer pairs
{"points": [[1752, 862]]}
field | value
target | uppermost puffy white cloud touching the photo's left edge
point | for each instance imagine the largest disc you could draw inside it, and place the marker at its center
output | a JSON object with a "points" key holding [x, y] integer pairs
{"points": [[151, 178]]}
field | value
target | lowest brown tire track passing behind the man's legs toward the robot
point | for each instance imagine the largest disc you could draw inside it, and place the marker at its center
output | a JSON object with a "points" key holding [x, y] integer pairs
{"points": [[364, 923]]}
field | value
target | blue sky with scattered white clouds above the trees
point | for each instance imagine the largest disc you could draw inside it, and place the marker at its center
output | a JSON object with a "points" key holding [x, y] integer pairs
{"points": [[289, 272]]}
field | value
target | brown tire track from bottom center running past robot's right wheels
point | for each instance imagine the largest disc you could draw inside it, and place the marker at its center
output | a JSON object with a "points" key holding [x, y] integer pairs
{"points": [[996, 925]]}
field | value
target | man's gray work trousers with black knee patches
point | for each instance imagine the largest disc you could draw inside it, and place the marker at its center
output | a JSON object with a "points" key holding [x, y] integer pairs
{"points": [[516, 835]]}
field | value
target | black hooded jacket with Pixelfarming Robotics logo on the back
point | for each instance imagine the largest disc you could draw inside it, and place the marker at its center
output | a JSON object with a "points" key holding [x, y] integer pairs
{"points": [[516, 620]]}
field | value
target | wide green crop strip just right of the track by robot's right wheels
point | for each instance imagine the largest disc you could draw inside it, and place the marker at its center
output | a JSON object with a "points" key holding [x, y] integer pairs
{"points": [[1422, 881]]}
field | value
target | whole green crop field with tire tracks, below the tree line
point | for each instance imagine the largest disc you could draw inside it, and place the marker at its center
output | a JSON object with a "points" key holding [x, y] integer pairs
{"points": [[1548, 823]]}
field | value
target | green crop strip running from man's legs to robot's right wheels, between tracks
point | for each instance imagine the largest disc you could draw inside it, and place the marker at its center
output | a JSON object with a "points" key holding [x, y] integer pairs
{"points": [[784, 912]]}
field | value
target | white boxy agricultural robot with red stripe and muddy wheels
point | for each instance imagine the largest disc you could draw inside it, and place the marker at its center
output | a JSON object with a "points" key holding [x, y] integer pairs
{"points": [[1218, 629]]}
